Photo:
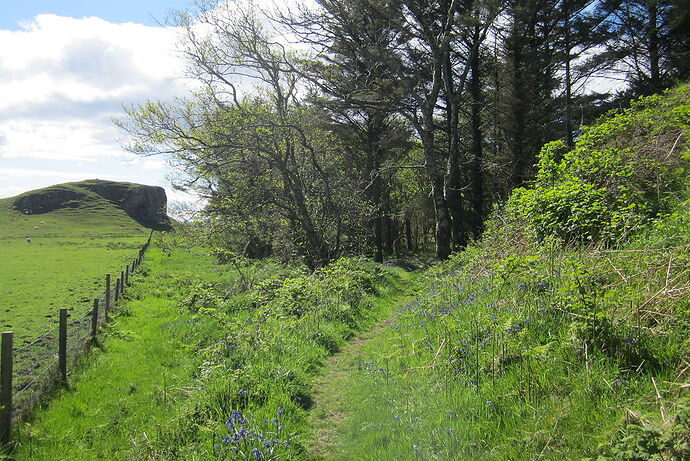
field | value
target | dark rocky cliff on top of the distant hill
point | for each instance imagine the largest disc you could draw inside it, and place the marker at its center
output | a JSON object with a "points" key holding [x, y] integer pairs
{"points": [[146, 204]]}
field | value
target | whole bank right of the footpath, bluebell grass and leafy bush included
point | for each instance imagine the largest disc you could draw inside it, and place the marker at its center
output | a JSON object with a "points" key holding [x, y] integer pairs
{"points": [[564, 332]]}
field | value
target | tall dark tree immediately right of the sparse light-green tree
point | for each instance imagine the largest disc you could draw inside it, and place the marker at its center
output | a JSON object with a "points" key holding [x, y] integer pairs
{"points": [[354, 86]]}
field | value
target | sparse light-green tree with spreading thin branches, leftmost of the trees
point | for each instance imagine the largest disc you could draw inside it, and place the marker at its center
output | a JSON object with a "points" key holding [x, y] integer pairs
{"points": [[258, 157]]}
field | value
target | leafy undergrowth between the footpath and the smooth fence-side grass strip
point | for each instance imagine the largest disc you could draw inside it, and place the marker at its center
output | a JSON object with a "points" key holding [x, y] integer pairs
{"points": [[257, 378]]}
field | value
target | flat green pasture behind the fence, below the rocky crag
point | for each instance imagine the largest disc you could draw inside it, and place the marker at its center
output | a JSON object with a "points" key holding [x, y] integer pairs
{"points": [[62, 266]]}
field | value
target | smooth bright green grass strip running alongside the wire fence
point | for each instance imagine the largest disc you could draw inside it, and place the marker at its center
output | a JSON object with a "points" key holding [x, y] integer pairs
{"points": [[133, 386]]}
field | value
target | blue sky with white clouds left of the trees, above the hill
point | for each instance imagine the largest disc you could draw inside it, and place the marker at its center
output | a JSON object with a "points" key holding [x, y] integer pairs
{"points": [[66, 69]]}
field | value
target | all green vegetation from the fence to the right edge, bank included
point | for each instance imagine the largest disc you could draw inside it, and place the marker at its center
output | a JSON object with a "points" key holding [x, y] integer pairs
{"points": [[561, 334]]}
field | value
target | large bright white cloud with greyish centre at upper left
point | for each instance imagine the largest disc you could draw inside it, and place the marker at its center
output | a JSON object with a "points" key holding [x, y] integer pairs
{"points": [[86, 60]]}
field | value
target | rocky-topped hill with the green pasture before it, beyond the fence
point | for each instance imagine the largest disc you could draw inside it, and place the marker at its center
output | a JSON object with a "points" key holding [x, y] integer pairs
{"points": [[58, 242]]}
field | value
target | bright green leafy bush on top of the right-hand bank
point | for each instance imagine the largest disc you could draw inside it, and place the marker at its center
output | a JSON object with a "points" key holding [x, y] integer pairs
{"points": [[621, 174]]}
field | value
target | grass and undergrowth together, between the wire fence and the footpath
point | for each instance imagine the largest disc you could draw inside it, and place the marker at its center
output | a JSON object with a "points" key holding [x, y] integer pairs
{"points": [[208, 361]]}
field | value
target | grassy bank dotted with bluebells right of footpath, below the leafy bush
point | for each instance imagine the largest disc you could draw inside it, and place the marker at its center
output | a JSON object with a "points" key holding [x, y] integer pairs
{"points": [[538, 357]]}
